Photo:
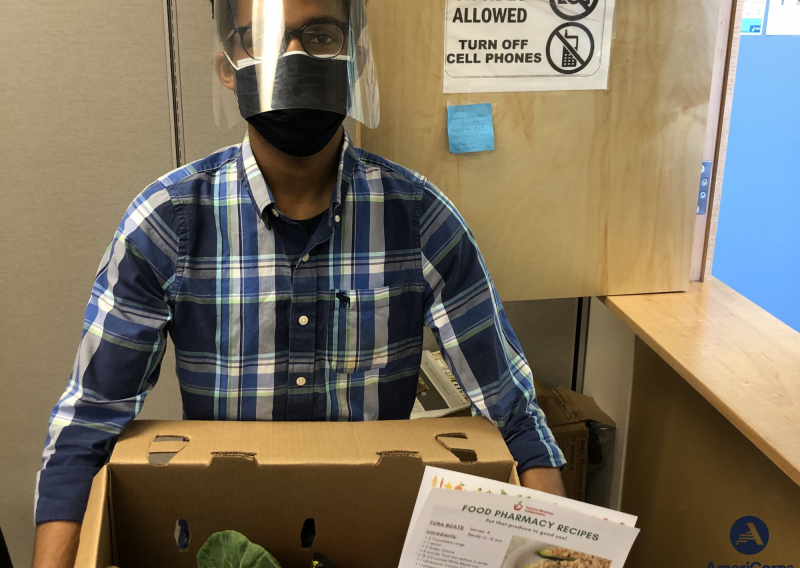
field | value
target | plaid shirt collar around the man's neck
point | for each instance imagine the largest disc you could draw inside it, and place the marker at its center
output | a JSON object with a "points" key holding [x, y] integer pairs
{"points": [[263, 200]]}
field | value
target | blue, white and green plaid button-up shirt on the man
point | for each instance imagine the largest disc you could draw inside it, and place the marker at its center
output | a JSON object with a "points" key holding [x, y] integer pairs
{"points": [[263, 331]]}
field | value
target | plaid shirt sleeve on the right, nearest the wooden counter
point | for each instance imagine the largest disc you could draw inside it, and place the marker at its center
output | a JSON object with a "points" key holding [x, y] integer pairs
{"points": [[464, 312]]}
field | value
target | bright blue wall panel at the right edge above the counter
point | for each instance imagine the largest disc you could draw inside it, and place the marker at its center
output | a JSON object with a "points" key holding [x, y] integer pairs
{"points": [[758, 238]]}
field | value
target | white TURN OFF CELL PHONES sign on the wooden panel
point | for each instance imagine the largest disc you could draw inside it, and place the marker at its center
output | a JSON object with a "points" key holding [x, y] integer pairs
{"points": [[496, 46]]}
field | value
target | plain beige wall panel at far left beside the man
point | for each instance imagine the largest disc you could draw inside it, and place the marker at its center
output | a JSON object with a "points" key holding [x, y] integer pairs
{"points": [[84, 126]]}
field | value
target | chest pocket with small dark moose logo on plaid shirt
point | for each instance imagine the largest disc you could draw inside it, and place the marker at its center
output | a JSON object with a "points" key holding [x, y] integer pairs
{"points": [[368, 329]]}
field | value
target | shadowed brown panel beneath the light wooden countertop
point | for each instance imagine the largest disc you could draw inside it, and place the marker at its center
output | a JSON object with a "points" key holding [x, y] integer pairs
{"points": [[689, 474]]}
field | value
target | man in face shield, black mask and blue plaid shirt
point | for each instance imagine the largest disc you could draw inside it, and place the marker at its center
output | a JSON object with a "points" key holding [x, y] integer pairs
{"points": [[293, 272]]}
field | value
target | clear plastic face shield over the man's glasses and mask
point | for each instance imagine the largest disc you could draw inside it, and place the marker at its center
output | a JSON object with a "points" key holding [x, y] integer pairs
{"points": [[293, 54]]}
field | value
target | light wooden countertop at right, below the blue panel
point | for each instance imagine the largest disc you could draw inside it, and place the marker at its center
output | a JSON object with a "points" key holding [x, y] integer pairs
{"points": [[740, 358]]}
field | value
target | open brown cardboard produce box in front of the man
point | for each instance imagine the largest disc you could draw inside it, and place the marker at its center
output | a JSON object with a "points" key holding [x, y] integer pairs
{"points": [[346, 490]]}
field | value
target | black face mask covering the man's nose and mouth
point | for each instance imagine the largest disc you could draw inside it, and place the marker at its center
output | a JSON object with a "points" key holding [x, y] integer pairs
{"points": [[309, 98]]}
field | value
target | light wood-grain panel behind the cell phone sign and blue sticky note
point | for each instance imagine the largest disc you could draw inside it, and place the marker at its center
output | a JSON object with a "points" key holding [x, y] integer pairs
{"points": [[587, 192]]}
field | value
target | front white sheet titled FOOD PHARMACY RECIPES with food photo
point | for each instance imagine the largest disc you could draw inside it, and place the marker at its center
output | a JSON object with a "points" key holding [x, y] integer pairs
{"points": [[463, 529]]}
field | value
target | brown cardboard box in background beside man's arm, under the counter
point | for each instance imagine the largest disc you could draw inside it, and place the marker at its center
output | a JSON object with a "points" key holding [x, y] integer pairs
{"points": [[570, 416]]}
